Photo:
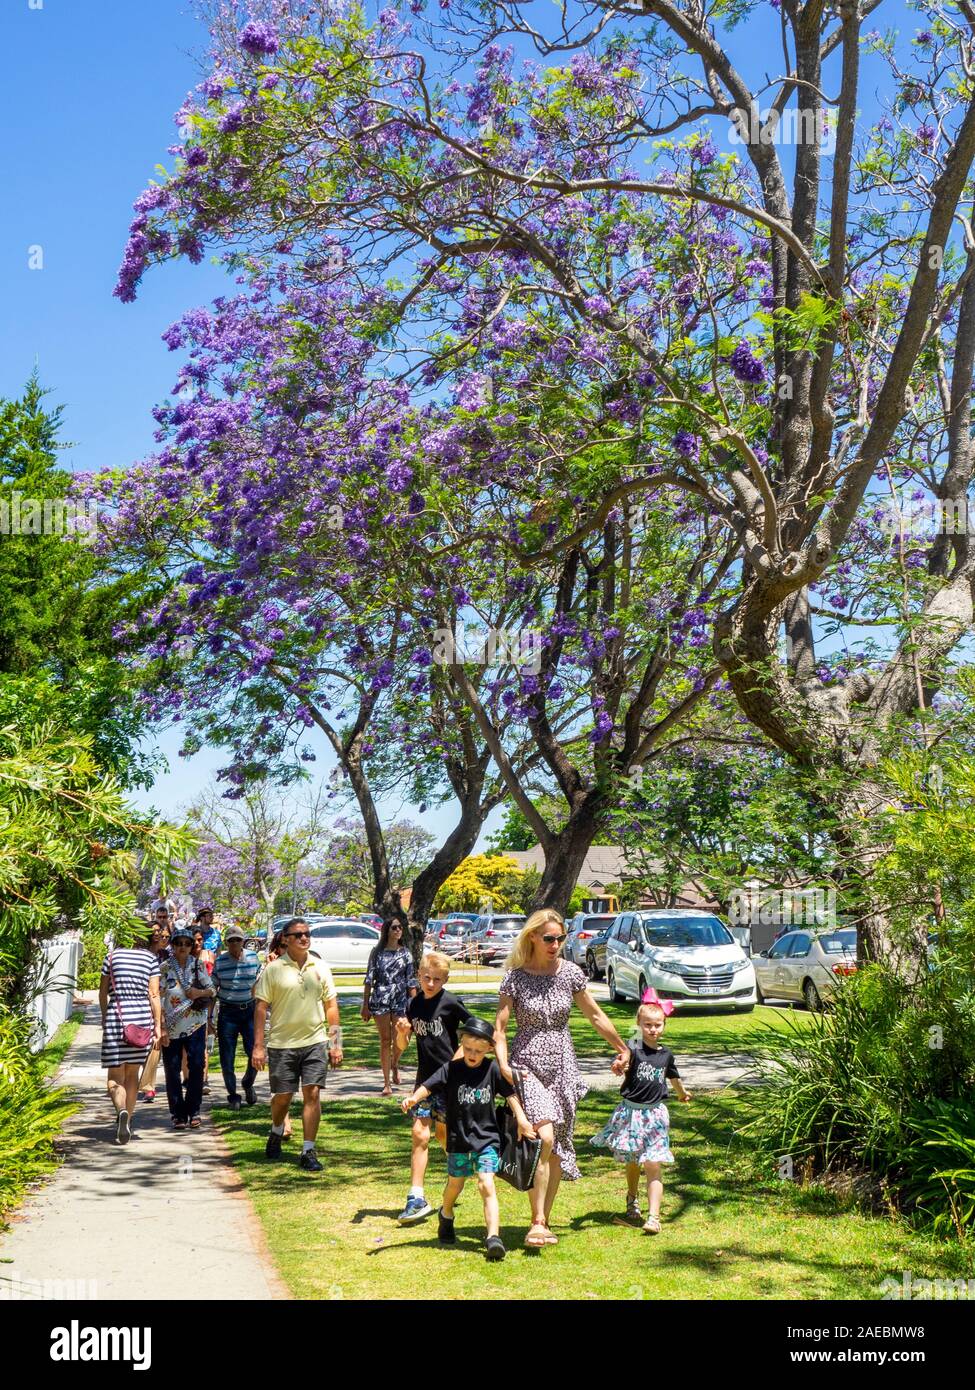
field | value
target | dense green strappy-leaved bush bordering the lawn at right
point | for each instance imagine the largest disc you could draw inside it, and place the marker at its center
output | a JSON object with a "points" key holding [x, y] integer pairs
{"points": [[881, 1084]]}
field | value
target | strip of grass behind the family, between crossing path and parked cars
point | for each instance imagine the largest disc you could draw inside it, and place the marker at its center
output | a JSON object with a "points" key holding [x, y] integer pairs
{"points": [[686, 1035]]}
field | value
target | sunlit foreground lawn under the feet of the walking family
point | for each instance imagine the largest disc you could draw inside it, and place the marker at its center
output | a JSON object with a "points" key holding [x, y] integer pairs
{"points": [[727, 1234]]}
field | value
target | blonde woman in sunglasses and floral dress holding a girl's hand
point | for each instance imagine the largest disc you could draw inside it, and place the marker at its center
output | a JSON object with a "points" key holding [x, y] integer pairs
{"points": [[542, 989]]}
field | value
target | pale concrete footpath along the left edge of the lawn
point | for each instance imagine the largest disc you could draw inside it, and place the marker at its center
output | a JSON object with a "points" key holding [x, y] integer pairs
{"points": [[165, 1217]]}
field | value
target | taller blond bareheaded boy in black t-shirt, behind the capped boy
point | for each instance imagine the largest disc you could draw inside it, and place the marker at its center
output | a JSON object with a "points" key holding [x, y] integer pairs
{"points": [[433, 1017]]}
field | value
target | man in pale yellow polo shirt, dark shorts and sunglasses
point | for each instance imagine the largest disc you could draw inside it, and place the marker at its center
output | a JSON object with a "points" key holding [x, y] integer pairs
{"points": [[303, 999]]}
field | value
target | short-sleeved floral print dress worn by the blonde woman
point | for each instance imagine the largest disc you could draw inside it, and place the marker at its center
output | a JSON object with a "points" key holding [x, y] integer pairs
{"points": [[551, 1084]]}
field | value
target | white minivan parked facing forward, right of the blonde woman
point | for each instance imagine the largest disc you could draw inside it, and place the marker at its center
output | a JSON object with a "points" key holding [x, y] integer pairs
{"points": [[688, 957]]}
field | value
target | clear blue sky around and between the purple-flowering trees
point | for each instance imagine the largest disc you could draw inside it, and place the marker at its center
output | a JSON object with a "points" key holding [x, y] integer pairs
{"points": [[88, 99]]}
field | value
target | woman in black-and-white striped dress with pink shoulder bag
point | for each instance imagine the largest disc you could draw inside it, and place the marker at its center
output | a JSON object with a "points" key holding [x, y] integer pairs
{"points": [[129, 995]]}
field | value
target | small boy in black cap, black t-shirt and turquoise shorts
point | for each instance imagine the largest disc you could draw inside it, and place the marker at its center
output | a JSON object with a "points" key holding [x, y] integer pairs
{"points": [[471, 1086]]}
